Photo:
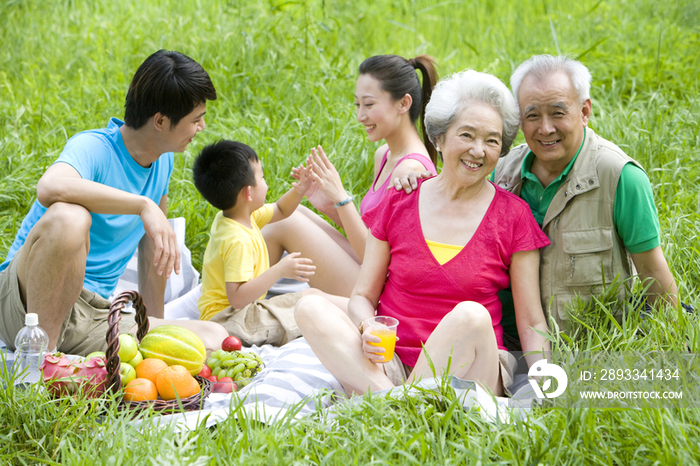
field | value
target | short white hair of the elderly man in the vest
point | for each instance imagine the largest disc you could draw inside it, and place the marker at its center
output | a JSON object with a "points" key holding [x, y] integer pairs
{"points": [[542, 66]]}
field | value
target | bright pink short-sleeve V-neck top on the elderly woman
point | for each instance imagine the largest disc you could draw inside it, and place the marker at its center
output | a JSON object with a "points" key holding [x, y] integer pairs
{"points": [[419, 291]]}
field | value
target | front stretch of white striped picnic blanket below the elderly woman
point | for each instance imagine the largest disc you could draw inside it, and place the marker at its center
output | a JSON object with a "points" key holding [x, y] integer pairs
{"points": [[295, 383]]}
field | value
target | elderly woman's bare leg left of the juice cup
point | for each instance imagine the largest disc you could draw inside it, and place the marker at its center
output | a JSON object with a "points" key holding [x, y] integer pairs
{"points": [[337, 343]]}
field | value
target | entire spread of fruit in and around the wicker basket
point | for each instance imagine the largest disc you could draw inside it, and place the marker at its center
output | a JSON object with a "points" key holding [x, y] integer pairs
{"points": [[163, 365]]}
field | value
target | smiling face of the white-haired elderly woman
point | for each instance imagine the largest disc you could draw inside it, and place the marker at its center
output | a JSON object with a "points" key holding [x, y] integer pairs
{"points": [[472, 145]]}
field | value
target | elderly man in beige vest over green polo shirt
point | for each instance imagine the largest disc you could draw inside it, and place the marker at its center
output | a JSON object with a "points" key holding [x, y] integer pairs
{"points": [[593, 201]]}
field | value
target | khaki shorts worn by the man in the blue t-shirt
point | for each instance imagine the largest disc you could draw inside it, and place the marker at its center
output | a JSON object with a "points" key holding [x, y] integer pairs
{"points": [[83, 331]]}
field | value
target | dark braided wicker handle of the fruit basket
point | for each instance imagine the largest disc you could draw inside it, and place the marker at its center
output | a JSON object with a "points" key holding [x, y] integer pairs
{"points": [[113, 319]]}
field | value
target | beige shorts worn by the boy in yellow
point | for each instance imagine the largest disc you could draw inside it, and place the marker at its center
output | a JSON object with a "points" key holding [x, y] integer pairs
{"points": [[264, 321]]}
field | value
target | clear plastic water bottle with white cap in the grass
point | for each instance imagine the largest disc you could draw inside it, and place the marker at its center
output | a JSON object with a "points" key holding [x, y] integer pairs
{"points": [[31, 343]]}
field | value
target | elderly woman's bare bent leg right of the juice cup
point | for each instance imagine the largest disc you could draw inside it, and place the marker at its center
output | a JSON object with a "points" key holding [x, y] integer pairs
{"points": [[466, 335]]}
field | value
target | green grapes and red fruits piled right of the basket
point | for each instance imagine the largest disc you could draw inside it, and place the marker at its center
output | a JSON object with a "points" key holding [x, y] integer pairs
{"points": [[230, 368]]}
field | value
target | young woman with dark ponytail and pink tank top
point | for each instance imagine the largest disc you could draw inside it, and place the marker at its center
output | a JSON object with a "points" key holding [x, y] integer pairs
{"points": [[389, 100]]}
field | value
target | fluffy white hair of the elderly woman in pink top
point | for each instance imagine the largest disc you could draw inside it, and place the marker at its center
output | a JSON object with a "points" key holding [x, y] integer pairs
{"points": [[455, 93]]}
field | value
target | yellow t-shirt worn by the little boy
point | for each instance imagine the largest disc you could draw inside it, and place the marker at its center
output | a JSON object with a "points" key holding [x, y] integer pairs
{"points": [[234, 254]]}
